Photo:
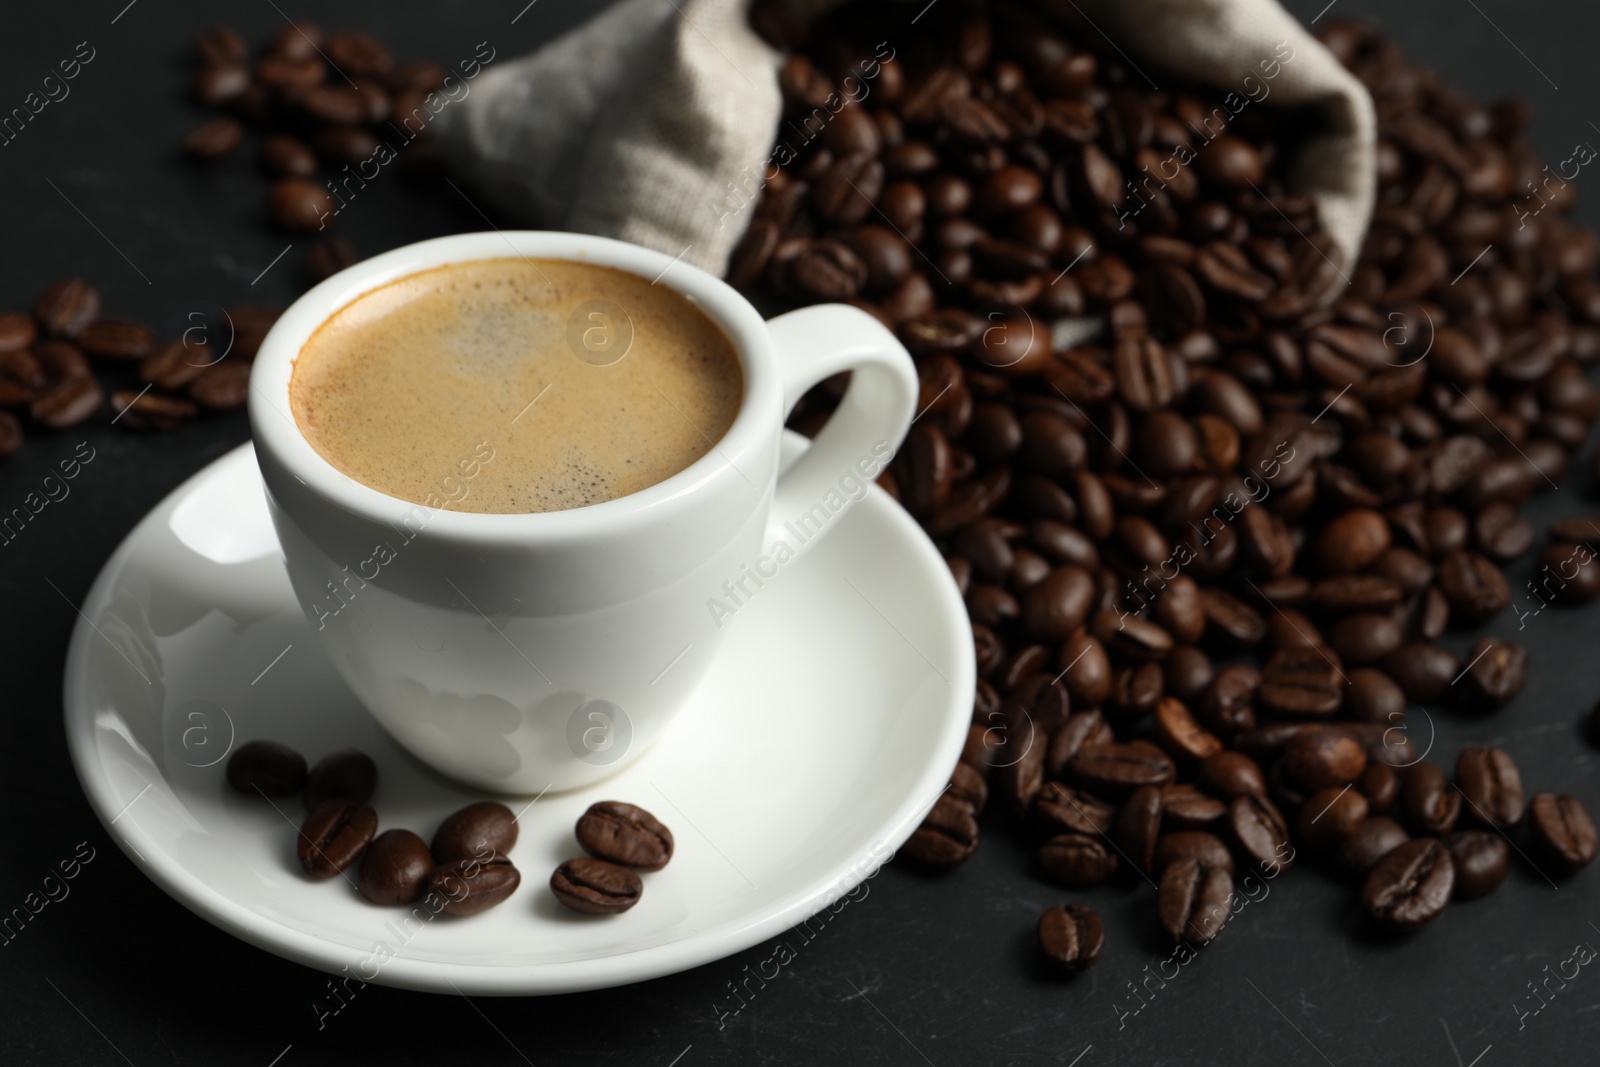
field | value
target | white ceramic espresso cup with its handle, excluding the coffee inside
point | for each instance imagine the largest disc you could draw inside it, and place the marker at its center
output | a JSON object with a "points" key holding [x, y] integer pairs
{"points": [[521, 653]]}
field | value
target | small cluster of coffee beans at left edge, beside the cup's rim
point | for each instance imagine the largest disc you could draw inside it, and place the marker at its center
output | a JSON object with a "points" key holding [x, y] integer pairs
{"points": [[58, 362]]}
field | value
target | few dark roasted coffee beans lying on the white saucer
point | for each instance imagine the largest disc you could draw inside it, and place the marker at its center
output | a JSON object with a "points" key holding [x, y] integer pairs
{"points": [[466, 869]]}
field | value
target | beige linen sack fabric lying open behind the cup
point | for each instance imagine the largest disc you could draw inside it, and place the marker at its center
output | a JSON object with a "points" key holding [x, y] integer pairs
{"points": [[634, 124]]}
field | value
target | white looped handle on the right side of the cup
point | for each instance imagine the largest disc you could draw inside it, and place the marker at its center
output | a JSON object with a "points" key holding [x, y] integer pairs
{"points": [[865, 433]]}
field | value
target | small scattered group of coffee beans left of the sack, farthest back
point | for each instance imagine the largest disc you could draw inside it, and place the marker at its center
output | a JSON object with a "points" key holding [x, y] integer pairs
{"points": [[319, 105]]}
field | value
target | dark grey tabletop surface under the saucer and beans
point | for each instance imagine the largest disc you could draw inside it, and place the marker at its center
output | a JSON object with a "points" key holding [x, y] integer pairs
{"points": [[921, 970]]}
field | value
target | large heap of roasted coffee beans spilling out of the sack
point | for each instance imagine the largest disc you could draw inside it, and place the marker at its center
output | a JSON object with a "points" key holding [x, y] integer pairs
{"points": [[1209, 541]]}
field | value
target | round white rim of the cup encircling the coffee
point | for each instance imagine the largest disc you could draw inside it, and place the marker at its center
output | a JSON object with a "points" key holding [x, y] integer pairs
{"points": [[276, 431]]}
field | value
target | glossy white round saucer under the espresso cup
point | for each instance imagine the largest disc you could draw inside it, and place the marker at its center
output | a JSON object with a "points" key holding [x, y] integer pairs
{"points": [[818, 741]]}
